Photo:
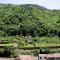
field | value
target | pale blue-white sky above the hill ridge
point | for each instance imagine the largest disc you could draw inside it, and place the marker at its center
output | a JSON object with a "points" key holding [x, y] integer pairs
{"points": [[50, 4]]}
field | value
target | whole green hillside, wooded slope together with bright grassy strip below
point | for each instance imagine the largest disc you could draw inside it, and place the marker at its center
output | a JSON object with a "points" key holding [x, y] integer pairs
{"points": [[20, 21]]}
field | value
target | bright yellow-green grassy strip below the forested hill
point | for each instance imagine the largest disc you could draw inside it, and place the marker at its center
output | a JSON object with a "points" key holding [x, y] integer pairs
{"points": [[37, 42]]}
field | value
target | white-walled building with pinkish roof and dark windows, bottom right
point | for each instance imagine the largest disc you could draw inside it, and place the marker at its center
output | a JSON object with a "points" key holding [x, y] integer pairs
{"points": [[49, 57]]}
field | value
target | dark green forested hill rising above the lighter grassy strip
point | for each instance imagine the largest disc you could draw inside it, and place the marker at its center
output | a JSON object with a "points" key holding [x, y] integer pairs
{"points": [[28, 19]]}
